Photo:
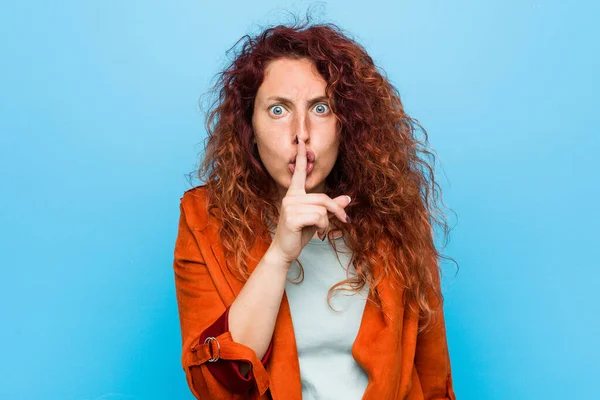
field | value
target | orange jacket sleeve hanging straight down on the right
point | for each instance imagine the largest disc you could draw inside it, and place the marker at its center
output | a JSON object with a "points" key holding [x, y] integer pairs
{"points": [[432, 358]]}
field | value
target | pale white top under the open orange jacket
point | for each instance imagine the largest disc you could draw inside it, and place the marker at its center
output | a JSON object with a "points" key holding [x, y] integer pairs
{"points": [[324, 337]]}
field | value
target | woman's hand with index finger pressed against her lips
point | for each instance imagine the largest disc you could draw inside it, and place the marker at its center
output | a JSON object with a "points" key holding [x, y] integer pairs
{"points": [[302, 214]]}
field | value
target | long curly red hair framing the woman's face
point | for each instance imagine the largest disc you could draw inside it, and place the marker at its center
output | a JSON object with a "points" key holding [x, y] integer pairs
{"points": [[394, 194]]}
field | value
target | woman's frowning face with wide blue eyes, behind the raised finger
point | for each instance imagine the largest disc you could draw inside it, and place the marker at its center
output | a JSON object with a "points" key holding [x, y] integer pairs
{"points": [[291, 101]]}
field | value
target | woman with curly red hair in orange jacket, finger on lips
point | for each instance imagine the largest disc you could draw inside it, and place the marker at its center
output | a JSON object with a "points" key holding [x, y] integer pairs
{"points": [[307, 142]]}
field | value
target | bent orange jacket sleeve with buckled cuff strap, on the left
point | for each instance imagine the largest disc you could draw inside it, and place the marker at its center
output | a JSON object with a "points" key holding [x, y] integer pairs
{"points": [[200, 308]]}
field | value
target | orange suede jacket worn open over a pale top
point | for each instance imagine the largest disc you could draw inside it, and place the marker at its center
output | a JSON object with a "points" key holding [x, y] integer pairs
{"points": [[399, 363]]}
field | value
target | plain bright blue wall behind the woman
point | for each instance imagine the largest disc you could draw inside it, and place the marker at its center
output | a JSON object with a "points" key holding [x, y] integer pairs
{"points": [[99, 124]]}
